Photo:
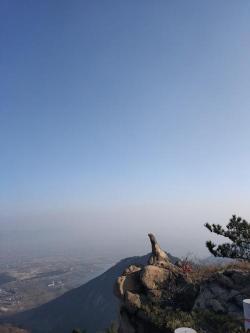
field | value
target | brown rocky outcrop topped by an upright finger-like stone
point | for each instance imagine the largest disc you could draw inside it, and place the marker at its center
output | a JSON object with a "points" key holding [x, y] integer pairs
{"points": [[153, 296]]}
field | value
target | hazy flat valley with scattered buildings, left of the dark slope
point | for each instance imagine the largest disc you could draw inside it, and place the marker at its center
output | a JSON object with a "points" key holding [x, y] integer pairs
{"points": [[29, 282]]}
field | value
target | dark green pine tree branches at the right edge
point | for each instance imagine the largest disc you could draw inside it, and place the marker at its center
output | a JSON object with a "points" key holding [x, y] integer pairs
{"points": [[238, 232]]}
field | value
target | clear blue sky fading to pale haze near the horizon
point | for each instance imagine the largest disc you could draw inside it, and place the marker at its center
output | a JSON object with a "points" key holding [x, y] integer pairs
{"points": [[133, 115]]}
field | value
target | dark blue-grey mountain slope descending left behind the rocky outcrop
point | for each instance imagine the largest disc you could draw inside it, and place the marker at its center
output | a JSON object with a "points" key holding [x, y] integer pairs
{"points": [[91, 306]]}
